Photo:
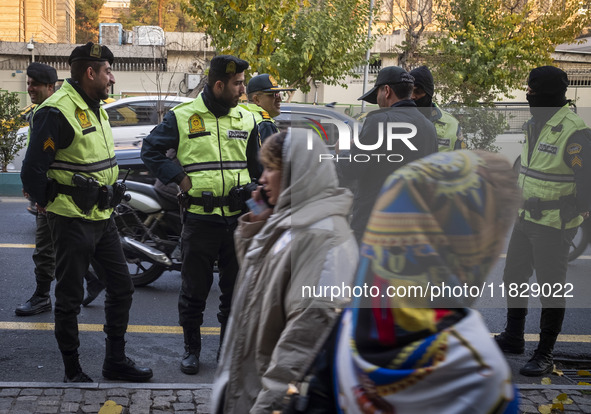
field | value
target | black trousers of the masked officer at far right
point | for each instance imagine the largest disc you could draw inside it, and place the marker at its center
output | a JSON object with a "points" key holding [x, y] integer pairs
{"points": [[545, 250]]}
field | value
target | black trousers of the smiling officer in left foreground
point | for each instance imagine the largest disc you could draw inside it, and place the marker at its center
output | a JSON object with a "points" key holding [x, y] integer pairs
{"points": [[76, 242]]}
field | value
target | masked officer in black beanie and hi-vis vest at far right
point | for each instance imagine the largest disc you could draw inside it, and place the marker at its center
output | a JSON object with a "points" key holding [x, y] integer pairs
{"points": [[555, 178]]}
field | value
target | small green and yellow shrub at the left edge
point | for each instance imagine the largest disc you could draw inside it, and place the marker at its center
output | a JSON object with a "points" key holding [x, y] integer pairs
{"points": [[10, 122]]}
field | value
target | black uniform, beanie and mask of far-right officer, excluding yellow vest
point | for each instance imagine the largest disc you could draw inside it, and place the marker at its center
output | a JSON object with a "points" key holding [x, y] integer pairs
{"points": [[539, 247]]}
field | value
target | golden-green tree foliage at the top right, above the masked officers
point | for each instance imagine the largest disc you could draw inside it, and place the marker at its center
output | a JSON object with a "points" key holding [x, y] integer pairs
{"points": [[486, 48]]}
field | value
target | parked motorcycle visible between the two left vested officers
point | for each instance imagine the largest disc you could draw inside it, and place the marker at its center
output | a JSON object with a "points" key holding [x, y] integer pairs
{"points": [[149, 225]]}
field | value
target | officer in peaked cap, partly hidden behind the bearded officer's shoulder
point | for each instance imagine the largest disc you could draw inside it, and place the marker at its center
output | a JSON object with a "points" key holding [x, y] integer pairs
{"points": [[264, 97]]}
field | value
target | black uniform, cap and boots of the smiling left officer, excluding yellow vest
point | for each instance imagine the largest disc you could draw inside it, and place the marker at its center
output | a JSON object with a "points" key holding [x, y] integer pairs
{"points": [[78, 240]]}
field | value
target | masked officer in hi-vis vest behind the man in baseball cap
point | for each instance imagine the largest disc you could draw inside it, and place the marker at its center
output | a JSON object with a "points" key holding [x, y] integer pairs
{"points": [[449, 133]]}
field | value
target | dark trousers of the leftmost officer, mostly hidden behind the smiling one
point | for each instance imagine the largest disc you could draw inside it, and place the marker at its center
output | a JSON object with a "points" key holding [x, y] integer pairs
{"points": [[44, 258]]}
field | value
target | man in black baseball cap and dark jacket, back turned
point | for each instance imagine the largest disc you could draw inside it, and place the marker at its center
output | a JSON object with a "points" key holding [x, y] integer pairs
{"points": [[392, 92]]}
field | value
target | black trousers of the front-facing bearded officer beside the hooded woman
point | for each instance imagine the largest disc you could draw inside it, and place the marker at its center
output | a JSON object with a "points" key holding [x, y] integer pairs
{"points": [[202, 243]]}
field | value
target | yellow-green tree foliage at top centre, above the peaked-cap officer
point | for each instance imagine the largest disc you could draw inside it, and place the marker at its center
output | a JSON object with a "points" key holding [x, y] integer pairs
{"points": [[297, 42]]}
